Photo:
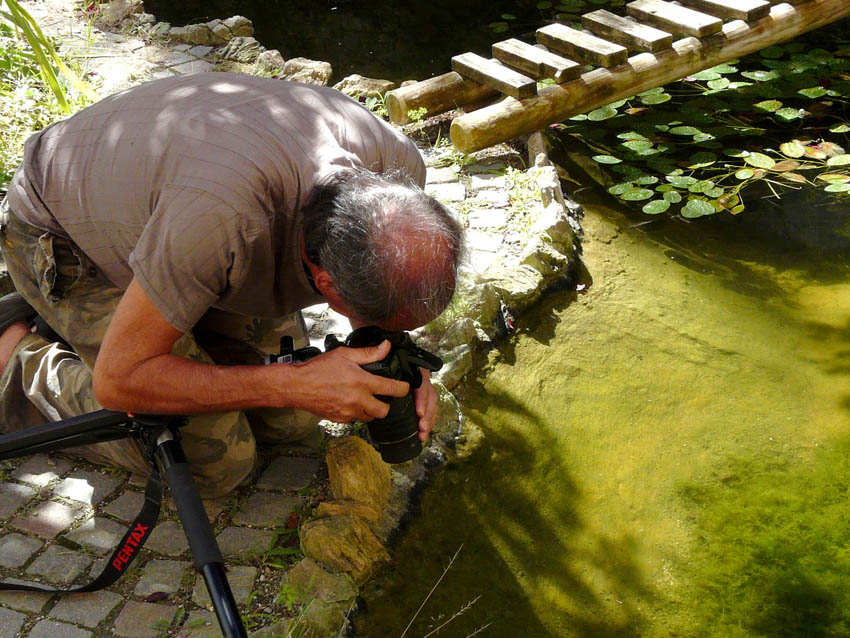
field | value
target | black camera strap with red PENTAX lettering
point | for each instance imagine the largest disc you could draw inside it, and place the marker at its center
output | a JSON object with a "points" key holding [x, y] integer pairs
{"points": [[127, 550]]}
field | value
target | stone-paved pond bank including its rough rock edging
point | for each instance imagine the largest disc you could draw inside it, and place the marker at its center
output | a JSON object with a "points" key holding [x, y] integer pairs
{"points": [[522, 241]]}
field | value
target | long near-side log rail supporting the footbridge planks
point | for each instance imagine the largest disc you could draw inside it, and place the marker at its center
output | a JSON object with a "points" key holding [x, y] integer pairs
{"points": [[510, 118]]}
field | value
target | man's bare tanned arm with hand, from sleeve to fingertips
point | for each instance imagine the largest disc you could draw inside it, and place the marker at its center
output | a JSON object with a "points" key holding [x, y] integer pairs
{"points": [[135, 371]]}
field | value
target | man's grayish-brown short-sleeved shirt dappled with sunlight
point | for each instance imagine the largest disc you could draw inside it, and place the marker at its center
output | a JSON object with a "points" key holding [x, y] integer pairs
{"points": [[193, 185]]}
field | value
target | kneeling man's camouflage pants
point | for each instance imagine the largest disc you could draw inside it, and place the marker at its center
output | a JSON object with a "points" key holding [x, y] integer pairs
{"points": [[46, 381]]}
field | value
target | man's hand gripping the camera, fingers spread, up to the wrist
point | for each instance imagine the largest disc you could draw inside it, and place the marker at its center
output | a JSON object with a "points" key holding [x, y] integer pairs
{"points": [[334, 386]]}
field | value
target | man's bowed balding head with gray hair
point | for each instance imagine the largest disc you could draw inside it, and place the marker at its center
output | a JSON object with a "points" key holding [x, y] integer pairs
{"points": [[391, 250]]}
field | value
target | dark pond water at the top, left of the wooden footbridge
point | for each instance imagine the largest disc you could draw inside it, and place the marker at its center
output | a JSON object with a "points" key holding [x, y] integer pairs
{"points": [[381, 39]]}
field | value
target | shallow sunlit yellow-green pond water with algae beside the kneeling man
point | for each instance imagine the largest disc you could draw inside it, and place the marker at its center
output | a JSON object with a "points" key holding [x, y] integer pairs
{"points": [[666, 454]]}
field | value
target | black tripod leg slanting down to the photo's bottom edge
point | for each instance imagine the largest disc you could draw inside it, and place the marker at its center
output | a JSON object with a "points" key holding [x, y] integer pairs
{"points": [[199, 532]]}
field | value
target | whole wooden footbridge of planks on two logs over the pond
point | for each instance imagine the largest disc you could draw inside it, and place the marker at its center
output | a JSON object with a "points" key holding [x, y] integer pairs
{"points": [[633, 54]]}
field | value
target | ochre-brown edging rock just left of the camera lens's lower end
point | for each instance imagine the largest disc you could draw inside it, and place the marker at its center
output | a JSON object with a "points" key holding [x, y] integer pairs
{"points": [[357, 472]]}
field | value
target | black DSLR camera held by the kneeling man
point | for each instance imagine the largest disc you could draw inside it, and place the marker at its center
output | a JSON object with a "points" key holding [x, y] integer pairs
{"points": [[397, 434]]}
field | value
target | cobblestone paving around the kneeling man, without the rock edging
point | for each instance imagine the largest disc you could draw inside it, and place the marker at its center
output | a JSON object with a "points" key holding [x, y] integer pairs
{"points": [[60, 518]]}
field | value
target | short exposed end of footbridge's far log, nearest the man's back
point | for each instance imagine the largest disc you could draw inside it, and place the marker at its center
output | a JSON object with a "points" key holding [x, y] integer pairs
{"points": [[436, 95]]}
